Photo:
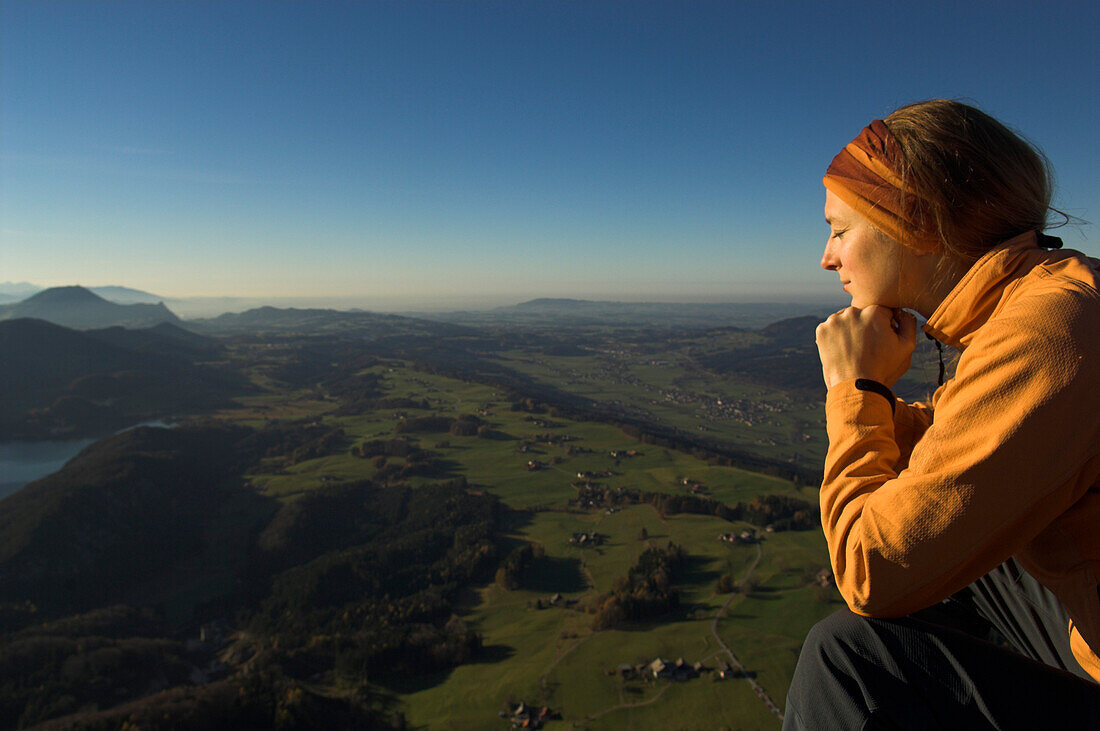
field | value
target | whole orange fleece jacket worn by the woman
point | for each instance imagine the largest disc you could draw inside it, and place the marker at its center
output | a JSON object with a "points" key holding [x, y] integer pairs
{"points": [[1004, 462]]}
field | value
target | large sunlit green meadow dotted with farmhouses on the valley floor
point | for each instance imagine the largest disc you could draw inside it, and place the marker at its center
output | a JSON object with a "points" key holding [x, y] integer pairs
{"points": [[540, 644]]}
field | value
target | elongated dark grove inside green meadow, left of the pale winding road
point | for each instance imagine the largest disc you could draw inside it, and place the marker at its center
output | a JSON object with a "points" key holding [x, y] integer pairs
{"points": [[645, 593]]}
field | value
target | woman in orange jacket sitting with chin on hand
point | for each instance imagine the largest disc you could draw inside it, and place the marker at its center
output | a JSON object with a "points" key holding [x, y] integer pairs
{"points": [[980, 511]]}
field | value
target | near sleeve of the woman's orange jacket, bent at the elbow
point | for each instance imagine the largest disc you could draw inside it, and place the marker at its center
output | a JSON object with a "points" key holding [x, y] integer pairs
{"points": [[994, 468]]}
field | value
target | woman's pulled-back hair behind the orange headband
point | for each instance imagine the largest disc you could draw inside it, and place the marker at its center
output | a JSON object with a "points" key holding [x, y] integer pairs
{"points": [[969, 181]]}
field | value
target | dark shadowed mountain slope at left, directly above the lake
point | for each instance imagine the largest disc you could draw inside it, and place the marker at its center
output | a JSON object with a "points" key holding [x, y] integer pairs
{"points": [[60, 383]]}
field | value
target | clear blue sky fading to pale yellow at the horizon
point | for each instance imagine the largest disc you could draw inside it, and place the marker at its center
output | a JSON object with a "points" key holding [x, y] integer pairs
{"points": [[499, 151]]}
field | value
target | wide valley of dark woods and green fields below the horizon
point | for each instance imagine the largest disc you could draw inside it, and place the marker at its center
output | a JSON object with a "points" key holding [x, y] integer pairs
{"points": [[428, 525]]}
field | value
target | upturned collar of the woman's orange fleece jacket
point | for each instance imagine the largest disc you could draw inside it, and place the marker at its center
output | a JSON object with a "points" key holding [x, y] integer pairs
{"points": [[977, 295]]}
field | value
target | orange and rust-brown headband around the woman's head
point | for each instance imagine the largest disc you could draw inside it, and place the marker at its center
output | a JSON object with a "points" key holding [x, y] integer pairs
{"points": [[865, 176]]}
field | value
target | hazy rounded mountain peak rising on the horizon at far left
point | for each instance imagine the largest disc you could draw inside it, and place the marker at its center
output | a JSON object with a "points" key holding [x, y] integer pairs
{"points": [[79, 308]]}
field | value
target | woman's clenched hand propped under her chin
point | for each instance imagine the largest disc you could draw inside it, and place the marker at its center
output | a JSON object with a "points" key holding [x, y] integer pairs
{"points": [[874, 342]]}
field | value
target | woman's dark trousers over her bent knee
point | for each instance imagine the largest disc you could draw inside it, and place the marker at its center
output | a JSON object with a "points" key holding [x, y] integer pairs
{"points": [[948, 668]]}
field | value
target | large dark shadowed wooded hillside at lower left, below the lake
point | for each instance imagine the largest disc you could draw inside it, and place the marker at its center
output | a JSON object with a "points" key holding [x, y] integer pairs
{"points": [[357, 580]]}
